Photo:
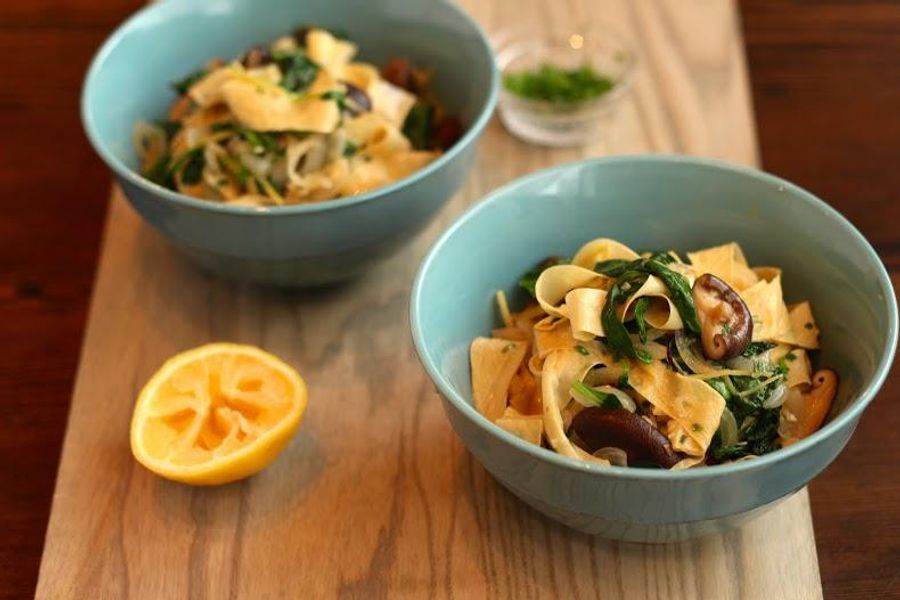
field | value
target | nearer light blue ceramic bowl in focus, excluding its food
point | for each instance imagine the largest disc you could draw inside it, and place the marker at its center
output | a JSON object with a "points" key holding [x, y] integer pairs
{"points": [[654, 202]]}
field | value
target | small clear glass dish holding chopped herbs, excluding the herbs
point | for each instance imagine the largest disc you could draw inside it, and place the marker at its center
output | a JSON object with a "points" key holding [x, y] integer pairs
{"points": [[554, 124]]}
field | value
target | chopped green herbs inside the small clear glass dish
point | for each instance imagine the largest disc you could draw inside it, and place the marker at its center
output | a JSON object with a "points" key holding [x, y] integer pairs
{"points": [[558, 85]]}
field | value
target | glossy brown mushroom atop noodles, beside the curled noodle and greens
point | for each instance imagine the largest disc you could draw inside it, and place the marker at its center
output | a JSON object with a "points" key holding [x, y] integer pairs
{"points": [[726, 325]]}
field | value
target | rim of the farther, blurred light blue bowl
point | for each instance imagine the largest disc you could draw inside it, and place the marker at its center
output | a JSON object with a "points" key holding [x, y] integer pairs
{"points": [[157, 9]]}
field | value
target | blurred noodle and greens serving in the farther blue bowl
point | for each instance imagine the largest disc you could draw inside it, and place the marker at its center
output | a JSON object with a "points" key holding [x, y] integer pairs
{"points": [[295, 121]]}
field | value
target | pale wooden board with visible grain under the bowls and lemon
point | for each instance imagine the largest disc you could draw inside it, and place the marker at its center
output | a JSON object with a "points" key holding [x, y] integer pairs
{"points": [[376, 497]]}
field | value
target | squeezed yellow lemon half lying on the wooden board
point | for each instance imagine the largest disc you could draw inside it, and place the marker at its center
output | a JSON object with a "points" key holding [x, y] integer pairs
{"points": [[217, 413]]}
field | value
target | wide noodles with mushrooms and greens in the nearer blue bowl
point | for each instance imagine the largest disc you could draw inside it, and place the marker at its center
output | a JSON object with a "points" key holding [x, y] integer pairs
{"points": [[553, 371]]}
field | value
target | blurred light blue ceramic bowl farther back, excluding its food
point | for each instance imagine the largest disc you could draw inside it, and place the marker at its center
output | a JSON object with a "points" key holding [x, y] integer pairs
{"points": [[301, 245]]}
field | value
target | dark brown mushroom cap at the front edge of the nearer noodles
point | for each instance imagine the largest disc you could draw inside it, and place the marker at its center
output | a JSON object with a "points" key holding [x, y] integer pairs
{"points": [[600, 427]]}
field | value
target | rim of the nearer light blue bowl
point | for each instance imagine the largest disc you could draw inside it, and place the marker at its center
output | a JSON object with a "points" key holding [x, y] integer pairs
{"points": [[852, 412]]}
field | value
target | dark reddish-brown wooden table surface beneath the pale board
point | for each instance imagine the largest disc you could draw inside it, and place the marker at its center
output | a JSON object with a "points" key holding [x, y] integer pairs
{"points": [[826, 83]]}
